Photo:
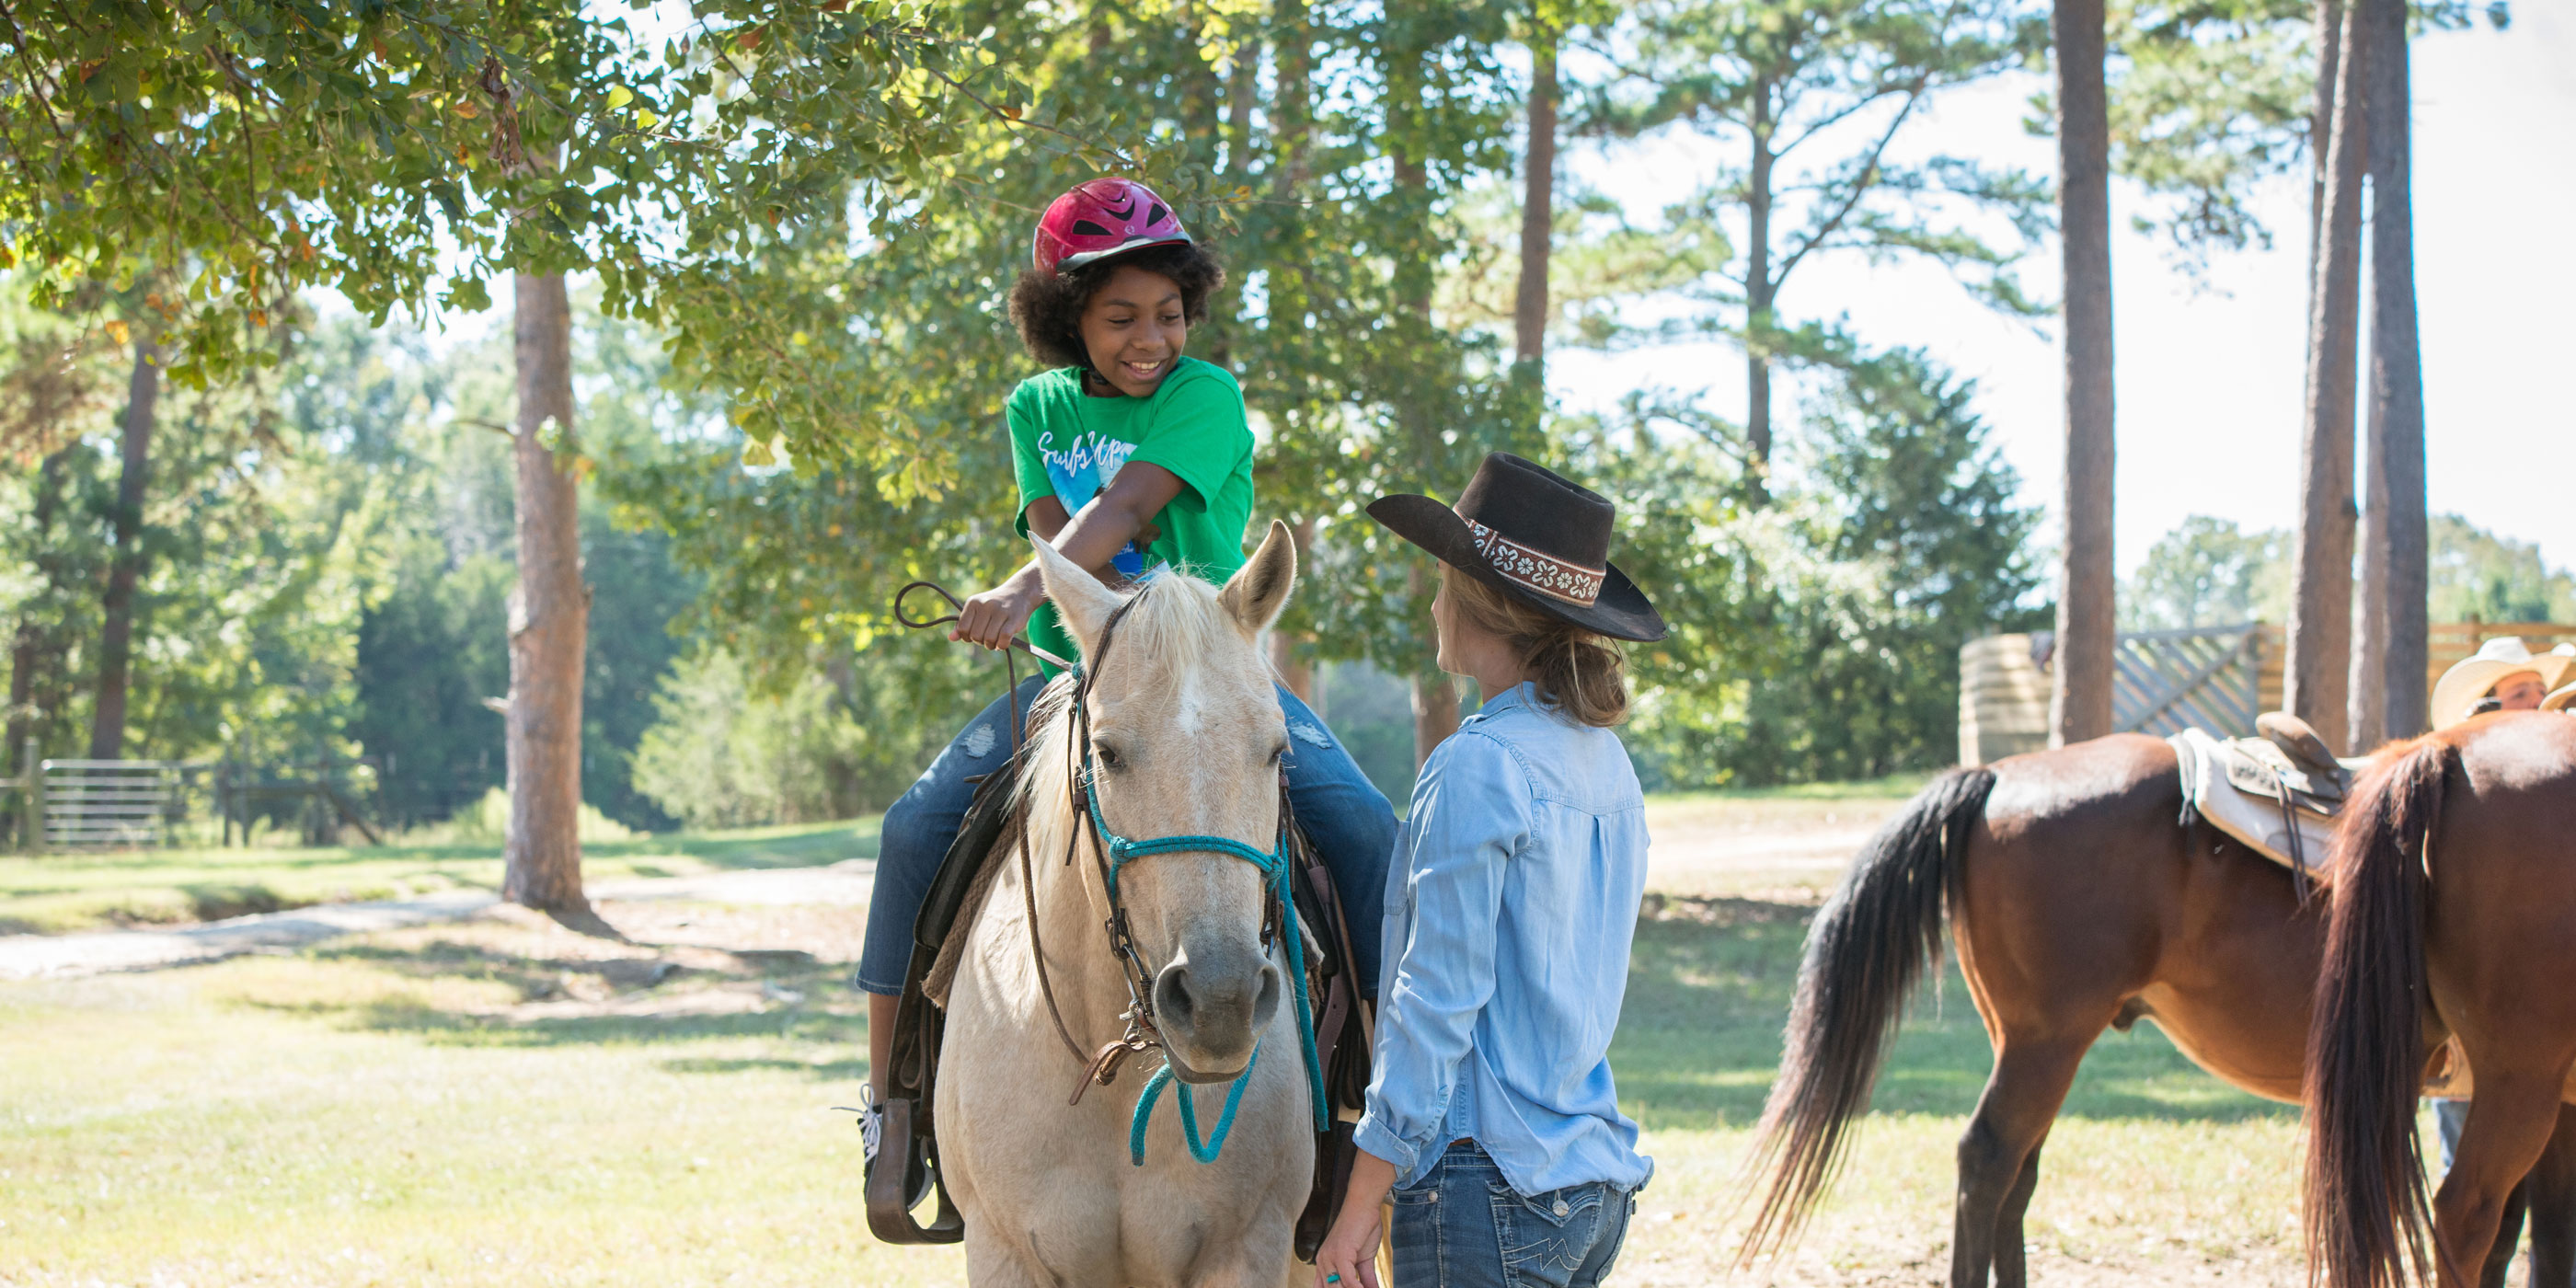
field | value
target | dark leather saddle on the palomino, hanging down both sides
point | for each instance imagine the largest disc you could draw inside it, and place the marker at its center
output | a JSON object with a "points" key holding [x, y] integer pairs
{"points": [[911, 1155]]}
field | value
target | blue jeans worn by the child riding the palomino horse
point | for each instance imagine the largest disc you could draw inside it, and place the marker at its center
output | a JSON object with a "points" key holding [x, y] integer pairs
{"points": [[1341, 810]]}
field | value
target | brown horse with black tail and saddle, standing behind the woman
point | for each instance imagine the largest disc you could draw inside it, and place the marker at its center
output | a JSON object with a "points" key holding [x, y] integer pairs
{"points": [[2080, 900]]}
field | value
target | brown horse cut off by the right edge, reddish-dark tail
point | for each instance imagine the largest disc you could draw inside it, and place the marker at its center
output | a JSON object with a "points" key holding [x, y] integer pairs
{"points": [[2456, 918]]}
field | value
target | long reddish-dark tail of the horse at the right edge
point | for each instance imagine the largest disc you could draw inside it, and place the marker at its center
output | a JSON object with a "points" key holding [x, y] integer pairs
{"points": [[2366, 1045]]}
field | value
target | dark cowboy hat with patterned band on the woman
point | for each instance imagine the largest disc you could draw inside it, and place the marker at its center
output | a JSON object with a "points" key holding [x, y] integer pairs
{"points": [[1537, 537]]}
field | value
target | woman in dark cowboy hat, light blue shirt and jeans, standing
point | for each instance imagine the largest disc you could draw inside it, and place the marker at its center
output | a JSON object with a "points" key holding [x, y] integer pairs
{"points": [[1511, 903]]}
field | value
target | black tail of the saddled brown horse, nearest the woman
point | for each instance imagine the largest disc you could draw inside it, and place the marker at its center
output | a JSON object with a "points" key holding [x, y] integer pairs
{"points": [[1864, 957]]}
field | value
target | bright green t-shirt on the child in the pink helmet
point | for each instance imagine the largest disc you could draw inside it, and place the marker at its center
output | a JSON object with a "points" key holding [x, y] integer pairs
{"points": [[1068, 444]]}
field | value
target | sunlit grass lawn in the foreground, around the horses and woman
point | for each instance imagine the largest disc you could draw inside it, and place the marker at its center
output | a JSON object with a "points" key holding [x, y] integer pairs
{"points": [[511, 1104]]}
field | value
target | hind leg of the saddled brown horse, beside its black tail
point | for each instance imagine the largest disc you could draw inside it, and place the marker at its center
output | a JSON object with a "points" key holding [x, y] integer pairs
{"points": [[1998, 1155]]}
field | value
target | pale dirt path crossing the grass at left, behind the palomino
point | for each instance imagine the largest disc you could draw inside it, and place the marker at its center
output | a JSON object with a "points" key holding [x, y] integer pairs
{"points": [[61, 957]]}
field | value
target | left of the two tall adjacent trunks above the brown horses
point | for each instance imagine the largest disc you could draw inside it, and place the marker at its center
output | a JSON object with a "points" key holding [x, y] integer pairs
{"points": [[2320, 666]]}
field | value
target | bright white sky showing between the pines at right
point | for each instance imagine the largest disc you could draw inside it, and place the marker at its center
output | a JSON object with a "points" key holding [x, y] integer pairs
{"points": [[2209, 385]]}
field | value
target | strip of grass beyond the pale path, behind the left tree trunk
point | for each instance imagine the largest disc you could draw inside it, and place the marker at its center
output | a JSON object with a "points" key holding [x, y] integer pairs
{"points": [[156, 887]]}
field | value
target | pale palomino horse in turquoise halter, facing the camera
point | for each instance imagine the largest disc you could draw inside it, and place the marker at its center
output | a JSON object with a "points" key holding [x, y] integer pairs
{"points": [[1186, 741]]}
